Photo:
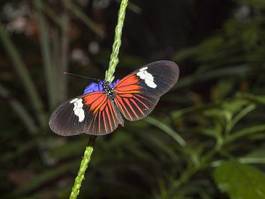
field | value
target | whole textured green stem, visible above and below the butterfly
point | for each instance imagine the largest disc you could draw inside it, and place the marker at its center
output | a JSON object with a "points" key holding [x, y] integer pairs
{"points": [[109, 77]]}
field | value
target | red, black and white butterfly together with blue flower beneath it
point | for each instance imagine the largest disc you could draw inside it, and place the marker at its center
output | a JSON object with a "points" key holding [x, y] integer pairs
{"points": [[103, 106]]}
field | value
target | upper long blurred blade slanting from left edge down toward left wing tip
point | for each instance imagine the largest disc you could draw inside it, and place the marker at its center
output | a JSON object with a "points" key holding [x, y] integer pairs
{"points": [[23, 75]]}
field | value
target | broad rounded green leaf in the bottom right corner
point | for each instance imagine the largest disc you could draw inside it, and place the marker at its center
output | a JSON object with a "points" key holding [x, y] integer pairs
{"points": [[240, 181]]}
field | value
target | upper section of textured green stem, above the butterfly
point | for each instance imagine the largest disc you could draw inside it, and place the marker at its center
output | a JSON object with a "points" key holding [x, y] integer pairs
{"points": [[109, 76]]}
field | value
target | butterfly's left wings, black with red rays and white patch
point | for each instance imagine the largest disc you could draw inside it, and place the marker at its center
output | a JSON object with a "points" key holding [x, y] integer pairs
{"points": [[93, 113]]}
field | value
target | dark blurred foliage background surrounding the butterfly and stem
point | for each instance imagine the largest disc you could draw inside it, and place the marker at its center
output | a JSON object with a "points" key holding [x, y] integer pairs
{"points": [[205, 135]]}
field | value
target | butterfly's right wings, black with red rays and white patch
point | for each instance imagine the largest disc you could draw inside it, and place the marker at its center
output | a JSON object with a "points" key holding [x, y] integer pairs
{"points": [[138, 93]]}
